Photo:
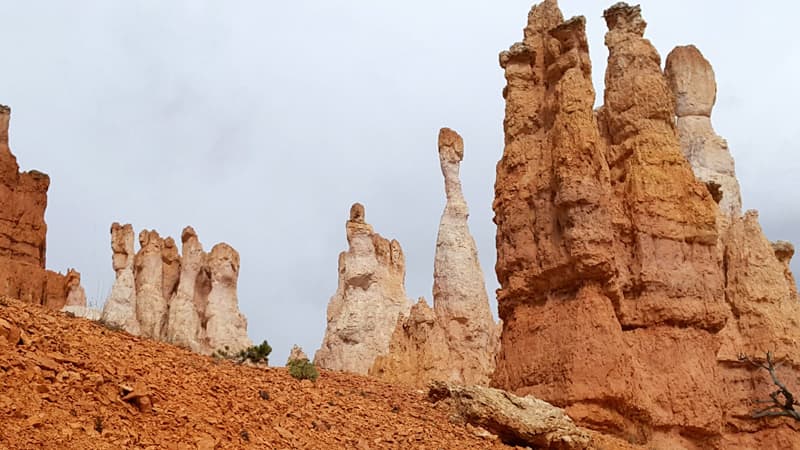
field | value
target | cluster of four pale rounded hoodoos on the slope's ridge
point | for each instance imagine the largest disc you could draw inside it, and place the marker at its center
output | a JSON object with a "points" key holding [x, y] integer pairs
{"points": [[187, 300]]}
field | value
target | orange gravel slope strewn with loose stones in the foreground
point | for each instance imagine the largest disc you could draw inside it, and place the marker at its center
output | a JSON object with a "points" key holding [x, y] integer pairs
{"points": [[64, 381]]}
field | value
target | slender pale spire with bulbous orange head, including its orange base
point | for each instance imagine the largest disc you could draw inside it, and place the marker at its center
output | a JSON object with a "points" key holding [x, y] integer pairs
{"points": [[456, 340]]}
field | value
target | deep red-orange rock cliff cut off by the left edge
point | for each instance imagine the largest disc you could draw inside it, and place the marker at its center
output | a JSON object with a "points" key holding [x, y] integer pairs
{"points": [[23, 233]]}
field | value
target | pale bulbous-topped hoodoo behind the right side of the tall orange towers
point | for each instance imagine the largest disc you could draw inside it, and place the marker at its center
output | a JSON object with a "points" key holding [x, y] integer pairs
{"points": [[691, 79]]}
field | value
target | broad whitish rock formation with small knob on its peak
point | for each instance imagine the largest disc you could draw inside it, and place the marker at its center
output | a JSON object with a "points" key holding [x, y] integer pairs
{"points": [[369, 300]]}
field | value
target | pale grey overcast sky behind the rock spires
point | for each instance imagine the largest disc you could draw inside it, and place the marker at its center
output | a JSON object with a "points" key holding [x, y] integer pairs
{"points": [[260, 123]]}
